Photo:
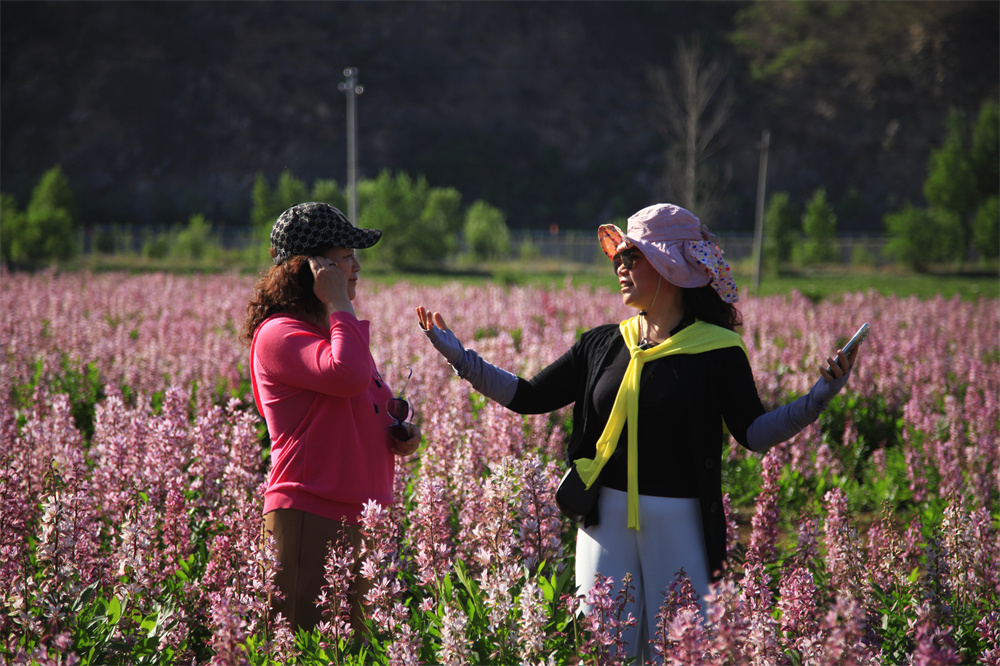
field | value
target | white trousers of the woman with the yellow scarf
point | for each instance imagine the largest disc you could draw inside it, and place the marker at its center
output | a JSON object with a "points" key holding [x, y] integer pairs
{"points": [[670, 537]]}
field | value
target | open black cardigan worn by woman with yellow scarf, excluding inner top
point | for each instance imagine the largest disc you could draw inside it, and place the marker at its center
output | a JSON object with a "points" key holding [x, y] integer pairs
{"points": [[716, 385]]}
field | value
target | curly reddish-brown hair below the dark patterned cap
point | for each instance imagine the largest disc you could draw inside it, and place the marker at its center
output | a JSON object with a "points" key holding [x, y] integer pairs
{"points": [[285, 288]]}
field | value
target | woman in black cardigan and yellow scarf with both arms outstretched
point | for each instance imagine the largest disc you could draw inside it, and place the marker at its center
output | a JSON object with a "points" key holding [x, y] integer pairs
{"points": [[651, 398]]}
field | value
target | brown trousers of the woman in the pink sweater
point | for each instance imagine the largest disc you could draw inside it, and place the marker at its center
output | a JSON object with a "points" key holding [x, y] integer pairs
{"points": [[304, 541]]}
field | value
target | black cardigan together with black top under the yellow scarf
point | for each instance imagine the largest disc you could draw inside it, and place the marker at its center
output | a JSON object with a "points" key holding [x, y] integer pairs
{"points": [[683, 400]]}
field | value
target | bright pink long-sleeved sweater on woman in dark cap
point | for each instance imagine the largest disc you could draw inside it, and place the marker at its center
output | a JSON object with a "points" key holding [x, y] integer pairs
{"points": [[324, 404]]}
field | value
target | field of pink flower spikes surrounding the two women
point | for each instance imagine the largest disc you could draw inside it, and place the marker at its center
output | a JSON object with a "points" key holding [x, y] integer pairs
{"points": [[133, 461]]}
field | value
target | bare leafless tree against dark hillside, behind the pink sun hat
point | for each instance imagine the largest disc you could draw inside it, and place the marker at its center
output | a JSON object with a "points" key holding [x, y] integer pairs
{"points": [[693, 102]]}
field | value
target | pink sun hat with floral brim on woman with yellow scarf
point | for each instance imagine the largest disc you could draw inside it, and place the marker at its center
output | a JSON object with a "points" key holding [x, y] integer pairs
{"points": [[677, 245]]}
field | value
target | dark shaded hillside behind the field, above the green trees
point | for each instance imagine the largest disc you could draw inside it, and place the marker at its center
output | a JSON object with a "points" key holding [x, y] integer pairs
{"points": [[159, 110]]}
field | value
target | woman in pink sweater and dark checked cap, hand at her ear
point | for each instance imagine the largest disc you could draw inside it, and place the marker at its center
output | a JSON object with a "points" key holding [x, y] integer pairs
{"points": [[325, 404]]}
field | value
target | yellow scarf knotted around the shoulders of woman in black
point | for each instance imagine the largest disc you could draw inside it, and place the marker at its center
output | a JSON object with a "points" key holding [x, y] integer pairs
{"points": [[697, 338]]}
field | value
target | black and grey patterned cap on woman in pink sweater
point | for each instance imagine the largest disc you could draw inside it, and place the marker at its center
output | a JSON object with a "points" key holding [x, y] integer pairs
{"points": [[311, 226]]}
